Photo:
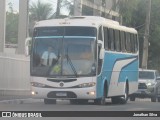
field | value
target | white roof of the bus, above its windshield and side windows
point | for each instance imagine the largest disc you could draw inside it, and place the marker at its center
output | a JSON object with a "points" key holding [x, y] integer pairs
{"points": [[90, 21]]}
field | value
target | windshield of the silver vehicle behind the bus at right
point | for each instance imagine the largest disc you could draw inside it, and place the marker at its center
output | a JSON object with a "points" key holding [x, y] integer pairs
{"points": [[146, 75]]}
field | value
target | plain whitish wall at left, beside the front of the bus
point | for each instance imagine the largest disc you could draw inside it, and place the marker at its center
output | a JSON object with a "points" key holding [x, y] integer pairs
{"points": [[14, 75]]}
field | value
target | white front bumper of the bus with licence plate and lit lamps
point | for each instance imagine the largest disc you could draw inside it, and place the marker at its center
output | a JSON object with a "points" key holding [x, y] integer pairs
{"points": [[77, 93]]}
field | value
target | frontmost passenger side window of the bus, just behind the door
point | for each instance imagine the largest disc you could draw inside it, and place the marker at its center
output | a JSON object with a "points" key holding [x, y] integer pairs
{"points": [[106, 40]]}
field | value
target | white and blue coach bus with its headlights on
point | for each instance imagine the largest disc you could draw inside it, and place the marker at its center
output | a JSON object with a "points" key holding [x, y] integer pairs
{"points": [[84, 58]]}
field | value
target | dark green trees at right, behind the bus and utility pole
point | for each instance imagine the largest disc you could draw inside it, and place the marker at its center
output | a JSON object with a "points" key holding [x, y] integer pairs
{"points": [[134, 14]]}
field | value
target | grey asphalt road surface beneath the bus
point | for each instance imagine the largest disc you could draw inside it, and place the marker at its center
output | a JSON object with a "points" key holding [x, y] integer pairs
{"points": [[64, 105]]}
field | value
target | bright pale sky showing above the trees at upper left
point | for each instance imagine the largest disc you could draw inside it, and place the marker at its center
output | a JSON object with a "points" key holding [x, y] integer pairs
{"points": [[15, 3]]}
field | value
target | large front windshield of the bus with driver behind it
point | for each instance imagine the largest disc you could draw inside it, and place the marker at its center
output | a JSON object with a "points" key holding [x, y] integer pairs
{"points": [[64, 55]]}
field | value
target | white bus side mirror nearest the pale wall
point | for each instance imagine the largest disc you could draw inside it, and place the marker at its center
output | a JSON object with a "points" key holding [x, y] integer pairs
{"points": [[28, 46]]}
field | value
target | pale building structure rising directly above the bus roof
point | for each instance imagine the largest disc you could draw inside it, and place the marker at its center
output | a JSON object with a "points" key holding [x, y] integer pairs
{"points": [[96, 7]]}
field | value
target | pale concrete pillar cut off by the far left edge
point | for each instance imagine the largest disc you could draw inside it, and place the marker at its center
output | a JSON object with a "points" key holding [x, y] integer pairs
{"points": [[2, 24]]}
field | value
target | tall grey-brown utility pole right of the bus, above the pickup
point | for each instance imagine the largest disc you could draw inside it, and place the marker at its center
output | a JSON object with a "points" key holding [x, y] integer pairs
{"points": [[146, 37]]}
